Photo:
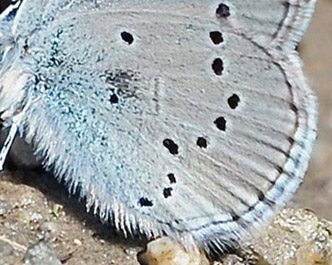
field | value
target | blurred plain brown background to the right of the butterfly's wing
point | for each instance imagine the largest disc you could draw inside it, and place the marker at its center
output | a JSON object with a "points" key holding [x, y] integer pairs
{"points": [[316, 52]]}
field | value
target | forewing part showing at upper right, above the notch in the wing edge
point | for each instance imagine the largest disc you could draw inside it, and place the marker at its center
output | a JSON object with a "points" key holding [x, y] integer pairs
{"points": [[281, 23]]}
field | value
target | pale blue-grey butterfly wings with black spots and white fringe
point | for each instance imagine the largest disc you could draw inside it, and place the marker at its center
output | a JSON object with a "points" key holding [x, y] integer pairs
{"points": [[186, 118]]}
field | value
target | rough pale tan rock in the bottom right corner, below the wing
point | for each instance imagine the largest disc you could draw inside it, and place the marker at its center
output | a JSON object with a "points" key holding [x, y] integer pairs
{"points": [[294, 237]]}
